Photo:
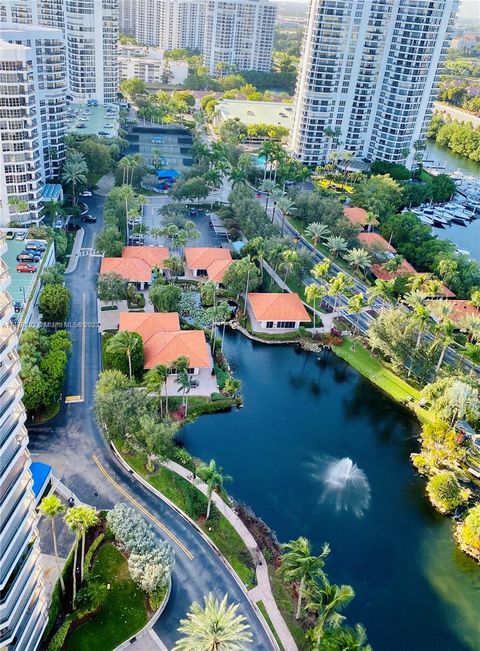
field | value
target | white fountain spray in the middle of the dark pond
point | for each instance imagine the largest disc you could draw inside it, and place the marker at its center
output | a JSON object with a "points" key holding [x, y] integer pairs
{"points": [[345, 486]]}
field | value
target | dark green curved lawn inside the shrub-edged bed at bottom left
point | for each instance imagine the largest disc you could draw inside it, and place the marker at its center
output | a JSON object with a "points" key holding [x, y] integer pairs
{"points": [[124, 612]]}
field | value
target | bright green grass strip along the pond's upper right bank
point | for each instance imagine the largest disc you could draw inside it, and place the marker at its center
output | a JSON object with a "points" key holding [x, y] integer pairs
{"points": [[372, 368]]}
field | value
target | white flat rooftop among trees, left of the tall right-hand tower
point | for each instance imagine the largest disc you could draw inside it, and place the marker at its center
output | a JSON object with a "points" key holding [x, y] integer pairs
{"points": [[272, 113]]}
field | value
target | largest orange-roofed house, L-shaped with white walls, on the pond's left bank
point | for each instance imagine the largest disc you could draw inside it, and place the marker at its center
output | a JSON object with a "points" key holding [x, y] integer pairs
{"points": [[164, 342]]}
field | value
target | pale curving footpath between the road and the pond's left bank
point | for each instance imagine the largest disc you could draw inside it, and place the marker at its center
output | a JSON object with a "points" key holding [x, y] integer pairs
{"points": [[262, 590]]}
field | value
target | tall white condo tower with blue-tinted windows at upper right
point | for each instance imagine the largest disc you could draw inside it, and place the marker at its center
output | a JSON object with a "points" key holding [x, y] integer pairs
{"points": [[369, 71]]}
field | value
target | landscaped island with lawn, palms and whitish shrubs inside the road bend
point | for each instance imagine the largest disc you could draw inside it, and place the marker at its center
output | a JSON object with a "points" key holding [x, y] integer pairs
{"points": [[116, 596]]}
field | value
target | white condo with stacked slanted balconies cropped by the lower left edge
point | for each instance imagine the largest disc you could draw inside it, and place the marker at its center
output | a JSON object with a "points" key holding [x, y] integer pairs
{"points": [[23, 613]]}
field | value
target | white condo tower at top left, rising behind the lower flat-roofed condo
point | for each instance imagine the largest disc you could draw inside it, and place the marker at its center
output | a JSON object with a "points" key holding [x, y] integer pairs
{"points": [[90, 29]]}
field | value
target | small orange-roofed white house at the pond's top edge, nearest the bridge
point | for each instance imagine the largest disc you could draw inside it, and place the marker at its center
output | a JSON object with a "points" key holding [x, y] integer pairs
{"points": [[276, 313]]}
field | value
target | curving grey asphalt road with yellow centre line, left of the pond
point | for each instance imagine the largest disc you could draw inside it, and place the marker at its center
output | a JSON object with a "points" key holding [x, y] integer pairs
{"points": [[74, 447]]}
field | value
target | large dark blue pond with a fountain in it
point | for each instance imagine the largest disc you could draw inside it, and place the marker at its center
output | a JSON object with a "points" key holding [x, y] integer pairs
{"points": [[305, 413]]}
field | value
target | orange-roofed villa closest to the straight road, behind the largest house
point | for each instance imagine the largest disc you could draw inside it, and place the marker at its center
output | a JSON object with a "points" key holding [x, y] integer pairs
{"points": [[136, 263]]}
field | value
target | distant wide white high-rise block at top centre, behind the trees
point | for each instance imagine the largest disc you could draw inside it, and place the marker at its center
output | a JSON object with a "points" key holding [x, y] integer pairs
{"points": [[237, 32]]}
